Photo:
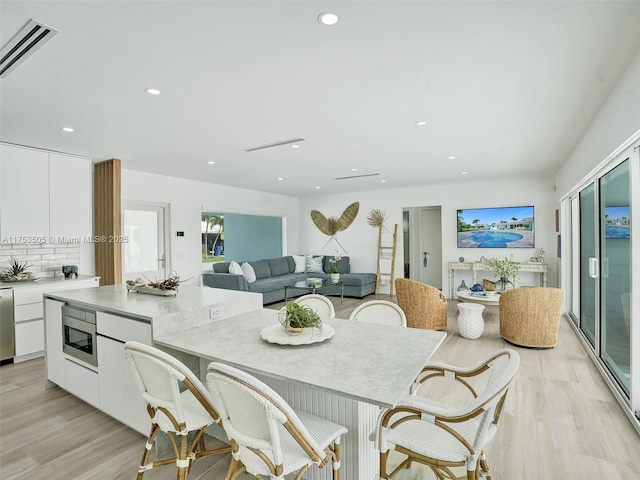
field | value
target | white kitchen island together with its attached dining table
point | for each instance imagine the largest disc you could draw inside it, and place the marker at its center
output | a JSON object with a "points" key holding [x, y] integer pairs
{"points": [[346, 378]]}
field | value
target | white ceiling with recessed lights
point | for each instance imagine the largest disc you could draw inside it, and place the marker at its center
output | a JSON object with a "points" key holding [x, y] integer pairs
{"points": [[508, 88]]}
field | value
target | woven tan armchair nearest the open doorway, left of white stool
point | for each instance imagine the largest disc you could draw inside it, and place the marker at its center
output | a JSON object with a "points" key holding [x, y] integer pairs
{"points": [[423, 305]]}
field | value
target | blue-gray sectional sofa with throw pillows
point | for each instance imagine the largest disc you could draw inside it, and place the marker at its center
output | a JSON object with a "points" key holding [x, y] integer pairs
{"points": [[273, 274]]}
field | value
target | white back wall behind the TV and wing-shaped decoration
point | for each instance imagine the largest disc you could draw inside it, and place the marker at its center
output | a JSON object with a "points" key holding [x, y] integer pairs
{"points": [[360, 239]]}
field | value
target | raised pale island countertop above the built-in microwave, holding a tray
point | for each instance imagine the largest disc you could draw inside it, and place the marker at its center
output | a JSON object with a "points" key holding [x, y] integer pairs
{"points": [[117, 300]]}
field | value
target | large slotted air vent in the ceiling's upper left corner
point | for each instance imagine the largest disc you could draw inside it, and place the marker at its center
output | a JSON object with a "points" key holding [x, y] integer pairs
{"points": [[28, 40]]}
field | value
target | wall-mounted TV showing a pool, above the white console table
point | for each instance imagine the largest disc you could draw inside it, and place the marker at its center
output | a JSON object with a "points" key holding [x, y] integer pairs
{"points": [[503, 227]]}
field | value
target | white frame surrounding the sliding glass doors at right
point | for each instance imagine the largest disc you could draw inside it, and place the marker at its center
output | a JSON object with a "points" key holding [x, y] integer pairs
{"points": [[631, 150]]}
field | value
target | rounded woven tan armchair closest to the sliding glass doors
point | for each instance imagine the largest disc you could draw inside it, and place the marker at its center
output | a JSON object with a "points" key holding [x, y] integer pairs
{"points": [[530, 317]]}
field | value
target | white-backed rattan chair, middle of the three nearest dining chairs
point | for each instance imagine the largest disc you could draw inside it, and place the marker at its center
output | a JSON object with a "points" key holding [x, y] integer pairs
{"points": [[268, 438]]}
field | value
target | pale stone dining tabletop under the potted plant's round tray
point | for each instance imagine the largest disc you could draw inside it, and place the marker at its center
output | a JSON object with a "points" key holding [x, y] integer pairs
{"points": [[367, 362]]}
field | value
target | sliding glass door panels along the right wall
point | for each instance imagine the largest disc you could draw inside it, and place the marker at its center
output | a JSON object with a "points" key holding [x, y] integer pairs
{"points": [[601, 259]]}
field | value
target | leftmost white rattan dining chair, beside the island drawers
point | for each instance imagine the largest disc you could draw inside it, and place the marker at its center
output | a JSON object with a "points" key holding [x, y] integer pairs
{"points": [[159, 377]]}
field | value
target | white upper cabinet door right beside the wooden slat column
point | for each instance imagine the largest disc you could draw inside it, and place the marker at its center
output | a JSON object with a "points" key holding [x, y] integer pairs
{"points": [[70, 196]]}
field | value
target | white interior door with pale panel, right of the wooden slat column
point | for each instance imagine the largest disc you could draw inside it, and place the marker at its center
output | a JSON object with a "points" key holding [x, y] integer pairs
{"points": [[144, 252]]}
